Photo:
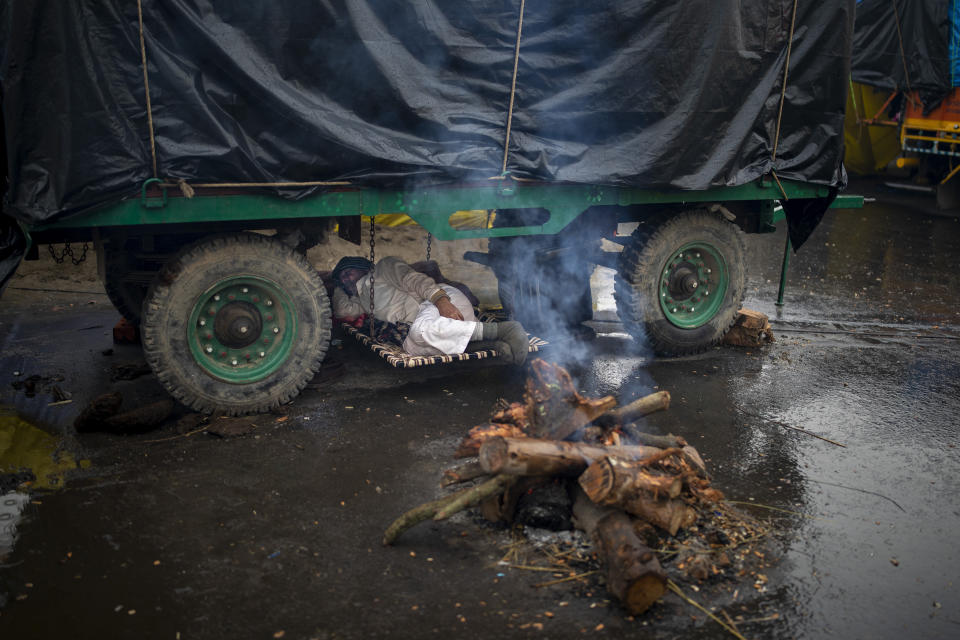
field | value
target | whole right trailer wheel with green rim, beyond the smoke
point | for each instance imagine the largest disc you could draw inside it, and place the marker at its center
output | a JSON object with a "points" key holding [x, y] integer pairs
{"points": [[680, 282]]}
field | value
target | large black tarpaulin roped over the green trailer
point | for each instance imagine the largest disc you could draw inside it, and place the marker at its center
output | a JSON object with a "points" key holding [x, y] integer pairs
{"points": [[647, 93]]}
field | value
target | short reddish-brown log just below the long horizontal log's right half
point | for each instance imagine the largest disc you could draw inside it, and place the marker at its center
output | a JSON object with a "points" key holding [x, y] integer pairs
{"points": [[612, 481]]}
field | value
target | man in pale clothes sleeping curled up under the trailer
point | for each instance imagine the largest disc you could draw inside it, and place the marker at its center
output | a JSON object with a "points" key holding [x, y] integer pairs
{"points": [[441, 318]]}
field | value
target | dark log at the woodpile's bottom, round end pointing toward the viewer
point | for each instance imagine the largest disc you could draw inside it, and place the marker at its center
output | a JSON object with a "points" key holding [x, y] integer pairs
{"points": [[634, 575]]}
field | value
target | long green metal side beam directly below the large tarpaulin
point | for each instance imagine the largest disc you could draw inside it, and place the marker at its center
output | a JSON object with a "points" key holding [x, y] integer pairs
{"points": [[431, 207]]}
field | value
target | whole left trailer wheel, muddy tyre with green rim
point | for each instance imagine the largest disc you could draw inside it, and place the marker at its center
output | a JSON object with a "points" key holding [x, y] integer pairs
{"points": [[237, 324]]}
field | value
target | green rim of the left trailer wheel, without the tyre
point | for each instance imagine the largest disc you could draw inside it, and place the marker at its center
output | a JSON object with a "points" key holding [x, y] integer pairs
{"points": [[242, 329]]}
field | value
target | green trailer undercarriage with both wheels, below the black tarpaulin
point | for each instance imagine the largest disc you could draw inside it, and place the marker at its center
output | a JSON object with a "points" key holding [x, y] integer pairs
{"points": [[239, 323]]}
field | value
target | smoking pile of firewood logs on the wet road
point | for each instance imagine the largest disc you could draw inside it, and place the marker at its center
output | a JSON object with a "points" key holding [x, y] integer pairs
{"points": [[626, 484]]}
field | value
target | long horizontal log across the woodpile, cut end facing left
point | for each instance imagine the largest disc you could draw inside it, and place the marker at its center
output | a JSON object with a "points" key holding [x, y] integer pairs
{"points": [[535, 457]]}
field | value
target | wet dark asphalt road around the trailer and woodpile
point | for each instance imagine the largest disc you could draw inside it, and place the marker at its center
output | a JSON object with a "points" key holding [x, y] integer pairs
{"points": [[277, 533]]}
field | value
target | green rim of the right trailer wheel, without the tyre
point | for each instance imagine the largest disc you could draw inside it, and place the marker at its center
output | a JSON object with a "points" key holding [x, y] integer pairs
{"points": [[693, 283]]}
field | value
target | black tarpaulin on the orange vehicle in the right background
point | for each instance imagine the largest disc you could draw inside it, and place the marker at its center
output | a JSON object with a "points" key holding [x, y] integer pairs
{"points": [[905, 45]]}
